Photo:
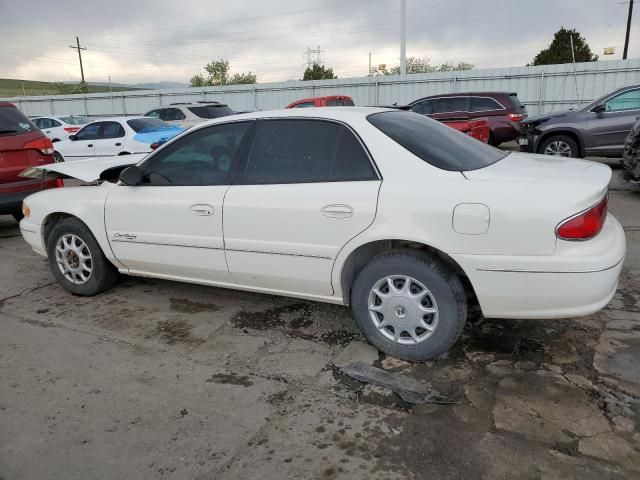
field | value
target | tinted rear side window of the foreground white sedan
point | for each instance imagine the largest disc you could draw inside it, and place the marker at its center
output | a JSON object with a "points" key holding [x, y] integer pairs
{"points": [[305, 151]]}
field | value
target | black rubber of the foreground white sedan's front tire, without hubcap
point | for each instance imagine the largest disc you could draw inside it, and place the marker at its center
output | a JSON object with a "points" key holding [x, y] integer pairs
{"points": [[103, 275]]}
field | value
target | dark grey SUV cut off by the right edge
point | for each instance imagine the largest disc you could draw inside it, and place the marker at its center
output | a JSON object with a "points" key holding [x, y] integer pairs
{"points": [[598, 129]]}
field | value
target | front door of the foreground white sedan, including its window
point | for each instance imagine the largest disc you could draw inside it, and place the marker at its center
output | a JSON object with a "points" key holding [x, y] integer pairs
{"points": [[170, 225]]}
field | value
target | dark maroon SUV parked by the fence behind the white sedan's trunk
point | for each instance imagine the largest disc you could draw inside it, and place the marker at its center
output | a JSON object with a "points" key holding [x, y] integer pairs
{"points": [[503, 111]]}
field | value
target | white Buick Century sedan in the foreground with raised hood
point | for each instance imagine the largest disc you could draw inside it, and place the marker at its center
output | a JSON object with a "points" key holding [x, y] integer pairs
{"points": [[393, 213]]}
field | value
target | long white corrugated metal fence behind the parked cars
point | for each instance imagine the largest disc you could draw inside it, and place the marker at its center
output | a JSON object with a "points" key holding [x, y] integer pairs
{"points": [[540, 89]]}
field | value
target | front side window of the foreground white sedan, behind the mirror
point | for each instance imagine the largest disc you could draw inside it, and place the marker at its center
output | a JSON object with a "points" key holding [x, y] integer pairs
{"points": [[205, 157]]}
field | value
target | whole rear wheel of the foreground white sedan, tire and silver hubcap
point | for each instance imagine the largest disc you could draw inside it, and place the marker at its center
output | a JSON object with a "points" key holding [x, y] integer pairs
{"points": [[409, 305]]}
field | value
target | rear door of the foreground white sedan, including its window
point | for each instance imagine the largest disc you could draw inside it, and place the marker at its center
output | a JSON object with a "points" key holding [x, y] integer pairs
{"points": [[309, 187]]}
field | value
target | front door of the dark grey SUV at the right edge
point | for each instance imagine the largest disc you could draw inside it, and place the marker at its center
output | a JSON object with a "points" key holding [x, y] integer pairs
{"points": [[607, 130]]}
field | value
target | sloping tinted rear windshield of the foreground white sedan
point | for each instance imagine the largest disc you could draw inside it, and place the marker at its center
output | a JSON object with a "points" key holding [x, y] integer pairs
{"points": [[435, 143]]}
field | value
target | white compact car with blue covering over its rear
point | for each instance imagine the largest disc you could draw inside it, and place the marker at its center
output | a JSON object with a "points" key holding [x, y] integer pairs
{"points": [[115, 136]]}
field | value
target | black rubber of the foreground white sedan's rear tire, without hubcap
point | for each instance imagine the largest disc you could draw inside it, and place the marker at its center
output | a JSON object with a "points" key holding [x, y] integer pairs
{"points": [[445, 287]]}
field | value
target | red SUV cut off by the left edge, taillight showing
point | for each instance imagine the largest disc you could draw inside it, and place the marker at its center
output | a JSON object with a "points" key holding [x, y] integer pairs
{"points": [[22, 145]]}
